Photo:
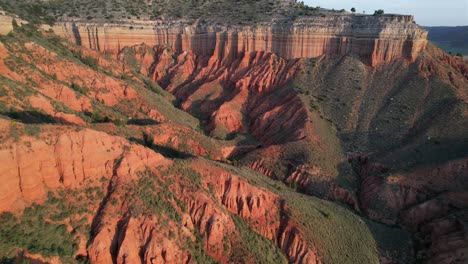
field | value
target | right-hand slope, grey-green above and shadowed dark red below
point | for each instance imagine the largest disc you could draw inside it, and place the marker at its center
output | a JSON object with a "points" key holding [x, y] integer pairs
{"points": [[405, 129]]}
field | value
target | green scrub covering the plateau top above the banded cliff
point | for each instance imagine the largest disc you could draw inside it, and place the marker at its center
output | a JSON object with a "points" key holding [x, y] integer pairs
{"points": [[247, 11]]}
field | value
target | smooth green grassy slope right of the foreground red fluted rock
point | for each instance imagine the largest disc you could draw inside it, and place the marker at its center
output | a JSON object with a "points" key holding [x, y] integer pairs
{"points": [[340, 235]]}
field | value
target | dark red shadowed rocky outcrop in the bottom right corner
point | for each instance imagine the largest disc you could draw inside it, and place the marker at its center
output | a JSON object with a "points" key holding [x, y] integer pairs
{"points": [[423, 201]]}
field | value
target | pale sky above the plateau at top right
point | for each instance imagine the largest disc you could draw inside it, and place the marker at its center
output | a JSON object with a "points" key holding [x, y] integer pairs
{"points": [[426, 12]]}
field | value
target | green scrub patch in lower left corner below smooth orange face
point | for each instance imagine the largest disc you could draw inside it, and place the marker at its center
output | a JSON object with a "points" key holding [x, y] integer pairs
{"points": [[43, 229]]}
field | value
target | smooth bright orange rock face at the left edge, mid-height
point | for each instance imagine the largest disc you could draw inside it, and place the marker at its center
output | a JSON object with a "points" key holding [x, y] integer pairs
{"points": [[31, 167]]}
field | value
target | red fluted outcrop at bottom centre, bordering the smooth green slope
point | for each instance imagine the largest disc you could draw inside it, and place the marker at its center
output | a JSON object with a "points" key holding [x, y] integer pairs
{"points": [[264, 212]]}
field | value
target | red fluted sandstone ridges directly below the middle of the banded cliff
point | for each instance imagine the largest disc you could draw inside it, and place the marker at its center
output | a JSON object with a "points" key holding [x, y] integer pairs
{"points": [[229, 89]]}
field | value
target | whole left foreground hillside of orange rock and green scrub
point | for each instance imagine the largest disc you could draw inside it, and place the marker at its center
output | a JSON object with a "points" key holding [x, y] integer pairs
{"points": [[82, 137]]}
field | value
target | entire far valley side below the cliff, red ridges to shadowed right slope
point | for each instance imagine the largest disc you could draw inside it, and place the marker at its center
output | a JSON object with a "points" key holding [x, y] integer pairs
{"points": [[390, 111]]}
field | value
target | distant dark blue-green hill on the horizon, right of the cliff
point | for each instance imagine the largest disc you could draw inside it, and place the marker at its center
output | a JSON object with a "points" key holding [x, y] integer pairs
{"points": [[451, 39]]}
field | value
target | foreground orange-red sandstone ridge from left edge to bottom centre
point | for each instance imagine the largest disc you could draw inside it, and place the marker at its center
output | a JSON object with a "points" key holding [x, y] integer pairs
{"points": [[123, 228]]}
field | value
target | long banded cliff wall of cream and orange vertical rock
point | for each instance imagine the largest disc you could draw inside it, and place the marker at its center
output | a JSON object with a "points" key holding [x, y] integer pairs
{"points": [[376, 39]]}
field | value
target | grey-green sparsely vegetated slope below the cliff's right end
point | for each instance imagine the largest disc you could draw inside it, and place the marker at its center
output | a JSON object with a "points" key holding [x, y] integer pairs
{"points": [[387, 111]]}
